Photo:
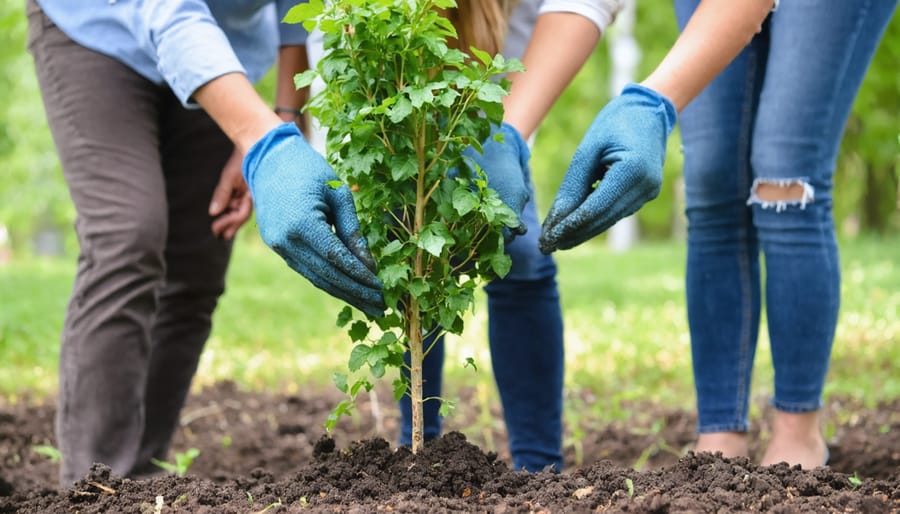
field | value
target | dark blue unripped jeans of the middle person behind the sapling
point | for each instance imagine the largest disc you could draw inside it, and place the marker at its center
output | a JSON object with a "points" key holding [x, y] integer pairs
{"points": [[526, 342]]}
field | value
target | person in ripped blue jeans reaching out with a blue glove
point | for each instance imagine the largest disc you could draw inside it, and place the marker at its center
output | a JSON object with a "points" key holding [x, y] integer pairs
{"points": [[764, 95]]}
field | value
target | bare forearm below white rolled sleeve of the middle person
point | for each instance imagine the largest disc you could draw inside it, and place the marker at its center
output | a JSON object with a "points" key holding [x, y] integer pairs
{"points": [[559, 46]]}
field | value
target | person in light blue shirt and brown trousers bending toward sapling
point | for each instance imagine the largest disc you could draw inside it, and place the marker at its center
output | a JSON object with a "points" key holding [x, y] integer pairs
{"points": [[157, 187]]}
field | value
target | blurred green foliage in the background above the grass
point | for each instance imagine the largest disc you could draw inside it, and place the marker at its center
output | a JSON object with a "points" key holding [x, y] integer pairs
{"points": [[34, 200]]}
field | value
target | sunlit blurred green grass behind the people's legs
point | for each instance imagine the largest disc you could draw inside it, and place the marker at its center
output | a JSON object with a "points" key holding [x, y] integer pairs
{"points": [[626, 332]]}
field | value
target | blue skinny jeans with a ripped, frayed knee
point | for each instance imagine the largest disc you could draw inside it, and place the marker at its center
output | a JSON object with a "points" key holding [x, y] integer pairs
{"points": [[774, 116]]}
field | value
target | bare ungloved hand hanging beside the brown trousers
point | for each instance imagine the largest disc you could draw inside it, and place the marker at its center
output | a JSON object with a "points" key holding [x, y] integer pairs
{"points": [[231, 204]]}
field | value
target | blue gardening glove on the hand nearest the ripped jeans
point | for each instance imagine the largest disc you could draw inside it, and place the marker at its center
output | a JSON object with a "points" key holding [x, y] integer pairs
{"points": [[623, 149]]}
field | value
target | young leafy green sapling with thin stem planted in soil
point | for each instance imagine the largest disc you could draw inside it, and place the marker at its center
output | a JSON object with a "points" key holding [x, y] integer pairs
{"points": [[401, 105]]}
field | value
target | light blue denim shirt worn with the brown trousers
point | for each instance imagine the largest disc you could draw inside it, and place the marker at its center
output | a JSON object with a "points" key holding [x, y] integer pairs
{"points": [[183, 43]]}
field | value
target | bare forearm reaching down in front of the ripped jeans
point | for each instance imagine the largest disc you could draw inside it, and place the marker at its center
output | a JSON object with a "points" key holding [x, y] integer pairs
{"points": [[714, 36]]}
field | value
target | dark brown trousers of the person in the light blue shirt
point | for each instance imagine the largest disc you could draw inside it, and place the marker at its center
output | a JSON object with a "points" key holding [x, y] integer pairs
{"points": [[140, 169]]}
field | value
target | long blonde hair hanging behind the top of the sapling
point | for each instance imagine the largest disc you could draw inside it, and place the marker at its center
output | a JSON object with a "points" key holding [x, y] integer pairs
{"points": [[481, 23]]}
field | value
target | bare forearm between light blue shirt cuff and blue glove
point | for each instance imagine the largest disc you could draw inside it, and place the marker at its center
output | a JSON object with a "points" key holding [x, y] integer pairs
{"points": [[235, 106]]}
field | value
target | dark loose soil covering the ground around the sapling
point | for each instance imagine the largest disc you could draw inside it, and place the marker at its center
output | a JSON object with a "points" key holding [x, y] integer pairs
{"points": [[267, 453]]}
